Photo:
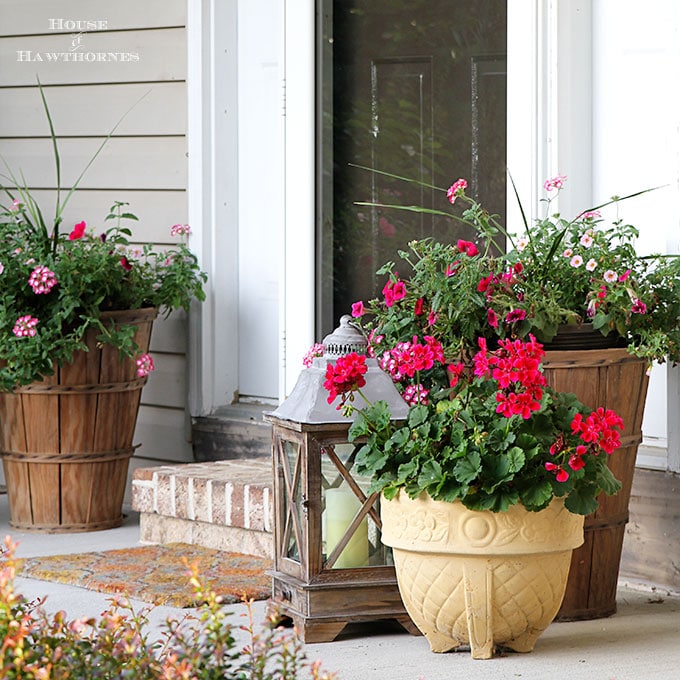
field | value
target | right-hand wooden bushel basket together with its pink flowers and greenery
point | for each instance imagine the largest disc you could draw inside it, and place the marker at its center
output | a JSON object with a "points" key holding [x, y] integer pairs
{"points": [[604, 311]]}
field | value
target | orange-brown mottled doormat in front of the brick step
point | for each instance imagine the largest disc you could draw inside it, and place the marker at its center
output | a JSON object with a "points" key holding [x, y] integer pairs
{"points": [[156, 573]]}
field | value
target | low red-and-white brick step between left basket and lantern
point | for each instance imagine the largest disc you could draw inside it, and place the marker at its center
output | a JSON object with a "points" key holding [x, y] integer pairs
{"points": [[225, 505]]}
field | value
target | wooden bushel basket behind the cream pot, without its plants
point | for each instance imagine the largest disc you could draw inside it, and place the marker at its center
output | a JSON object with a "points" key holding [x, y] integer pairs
{"points": [[614, 379]]}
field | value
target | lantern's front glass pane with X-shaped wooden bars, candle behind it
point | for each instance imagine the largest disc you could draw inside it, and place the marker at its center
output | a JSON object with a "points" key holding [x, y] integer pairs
{"points": [[341, 503]]}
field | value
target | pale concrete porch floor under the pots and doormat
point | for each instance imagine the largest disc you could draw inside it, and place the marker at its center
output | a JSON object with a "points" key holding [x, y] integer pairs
{"points": [[641, 641]]}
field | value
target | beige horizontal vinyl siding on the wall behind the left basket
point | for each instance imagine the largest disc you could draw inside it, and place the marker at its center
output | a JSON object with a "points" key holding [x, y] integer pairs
{"points": [[136, 64]]}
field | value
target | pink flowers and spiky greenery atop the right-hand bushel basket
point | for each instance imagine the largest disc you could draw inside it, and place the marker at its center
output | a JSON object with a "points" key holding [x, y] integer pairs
{"points": [[556, 272]]}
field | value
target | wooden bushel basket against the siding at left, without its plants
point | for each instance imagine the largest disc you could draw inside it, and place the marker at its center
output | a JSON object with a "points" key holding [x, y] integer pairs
{"points": [[66, 442]]}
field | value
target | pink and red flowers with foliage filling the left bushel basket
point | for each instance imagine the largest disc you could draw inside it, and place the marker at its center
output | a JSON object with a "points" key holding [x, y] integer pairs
{"points": [[57, 281]]}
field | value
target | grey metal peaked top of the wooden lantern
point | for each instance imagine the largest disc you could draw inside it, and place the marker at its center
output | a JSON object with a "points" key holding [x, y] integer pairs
{"points": [[308, 402]]}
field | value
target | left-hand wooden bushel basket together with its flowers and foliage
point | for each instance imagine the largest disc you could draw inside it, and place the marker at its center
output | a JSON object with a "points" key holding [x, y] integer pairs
{"points": [[76, 308]]}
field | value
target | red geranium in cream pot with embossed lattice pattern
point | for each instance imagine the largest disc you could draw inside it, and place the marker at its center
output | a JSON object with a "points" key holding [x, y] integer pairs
{"points": [[484, 486]]}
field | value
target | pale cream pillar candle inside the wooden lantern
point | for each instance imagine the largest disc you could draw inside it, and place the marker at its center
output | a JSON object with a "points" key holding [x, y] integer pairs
{"points": [[341, 508]]}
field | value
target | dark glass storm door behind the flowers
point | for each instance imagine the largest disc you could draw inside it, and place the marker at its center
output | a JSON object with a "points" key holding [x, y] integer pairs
{"points": [[414, 88]]}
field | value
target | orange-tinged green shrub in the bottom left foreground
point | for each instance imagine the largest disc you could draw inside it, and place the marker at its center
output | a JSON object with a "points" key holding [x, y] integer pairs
{"points": [[118, 643]]}
